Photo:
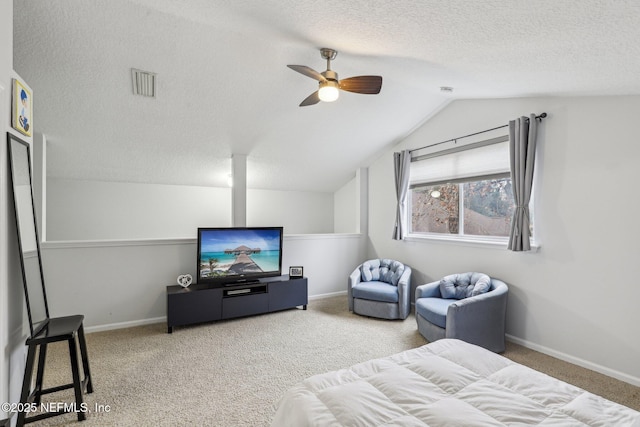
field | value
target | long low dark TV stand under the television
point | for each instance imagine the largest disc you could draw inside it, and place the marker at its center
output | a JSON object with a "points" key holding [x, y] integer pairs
{"points": [[205, 303]]}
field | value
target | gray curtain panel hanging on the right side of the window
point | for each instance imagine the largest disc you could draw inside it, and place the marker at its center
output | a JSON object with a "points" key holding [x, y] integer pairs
{"points": [[522, 153]]}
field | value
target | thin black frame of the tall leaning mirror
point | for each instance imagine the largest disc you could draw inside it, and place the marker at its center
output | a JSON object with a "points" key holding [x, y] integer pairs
{"points": [[36, 324]]}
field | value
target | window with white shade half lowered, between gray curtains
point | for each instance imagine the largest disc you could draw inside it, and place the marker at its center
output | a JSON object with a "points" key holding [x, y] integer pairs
{"points": [[462, 192]]}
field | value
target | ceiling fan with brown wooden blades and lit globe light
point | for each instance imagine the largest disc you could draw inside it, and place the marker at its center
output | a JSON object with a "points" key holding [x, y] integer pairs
{"points": [[330, 85]]}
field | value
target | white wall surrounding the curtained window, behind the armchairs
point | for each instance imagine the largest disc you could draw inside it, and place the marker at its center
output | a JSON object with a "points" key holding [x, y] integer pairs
{"points": [[575, 298]]}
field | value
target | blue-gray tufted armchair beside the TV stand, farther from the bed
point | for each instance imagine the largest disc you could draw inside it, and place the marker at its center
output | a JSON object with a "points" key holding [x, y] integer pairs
{"points": [[380, 288]]}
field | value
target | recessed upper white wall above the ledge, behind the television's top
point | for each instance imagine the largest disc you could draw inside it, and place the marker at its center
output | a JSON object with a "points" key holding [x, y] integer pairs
{"points": [[95, 210]]}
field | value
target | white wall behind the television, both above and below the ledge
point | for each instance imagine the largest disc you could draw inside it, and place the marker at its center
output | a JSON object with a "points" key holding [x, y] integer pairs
{"points": [[122, 282]]}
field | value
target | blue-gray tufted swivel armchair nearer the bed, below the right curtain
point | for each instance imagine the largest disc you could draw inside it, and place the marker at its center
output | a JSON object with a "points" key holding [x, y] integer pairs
{"points": [[468, 306]]}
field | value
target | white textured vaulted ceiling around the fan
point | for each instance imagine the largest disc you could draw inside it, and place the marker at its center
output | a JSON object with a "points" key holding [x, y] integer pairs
{"points": [[224, 88]]}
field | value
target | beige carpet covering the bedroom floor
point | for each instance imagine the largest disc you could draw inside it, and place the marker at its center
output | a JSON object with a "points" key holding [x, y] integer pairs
{"points": [[232, 373]]}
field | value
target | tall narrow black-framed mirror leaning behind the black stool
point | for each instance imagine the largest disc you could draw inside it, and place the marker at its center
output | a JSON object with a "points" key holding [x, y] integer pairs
{"points": [[28, 243]]}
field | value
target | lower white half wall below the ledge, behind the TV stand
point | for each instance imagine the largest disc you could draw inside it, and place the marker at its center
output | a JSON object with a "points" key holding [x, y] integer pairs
{"points": [[124, 283]]}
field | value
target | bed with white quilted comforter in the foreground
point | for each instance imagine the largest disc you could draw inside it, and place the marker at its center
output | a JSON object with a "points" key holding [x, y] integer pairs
{"points": [[445, 383]]}
